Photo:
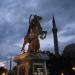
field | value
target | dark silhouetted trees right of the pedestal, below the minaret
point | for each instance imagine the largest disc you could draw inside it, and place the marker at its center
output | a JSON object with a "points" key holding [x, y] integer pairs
{"points": [[64, 63]]}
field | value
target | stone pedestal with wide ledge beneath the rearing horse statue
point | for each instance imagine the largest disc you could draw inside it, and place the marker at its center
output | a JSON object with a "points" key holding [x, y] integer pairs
{"points": [[31, 64]]}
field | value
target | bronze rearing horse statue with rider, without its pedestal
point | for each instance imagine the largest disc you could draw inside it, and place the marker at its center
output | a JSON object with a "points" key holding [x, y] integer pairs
{"points": [[34, 31]]}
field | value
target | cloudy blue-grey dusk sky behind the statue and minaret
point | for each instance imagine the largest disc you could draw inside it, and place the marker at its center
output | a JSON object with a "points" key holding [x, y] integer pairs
{"points": [[14, 22]]}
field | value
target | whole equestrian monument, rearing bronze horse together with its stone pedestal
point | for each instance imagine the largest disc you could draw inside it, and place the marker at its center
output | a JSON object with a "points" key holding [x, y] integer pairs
{"points": [[33, 61]]}
